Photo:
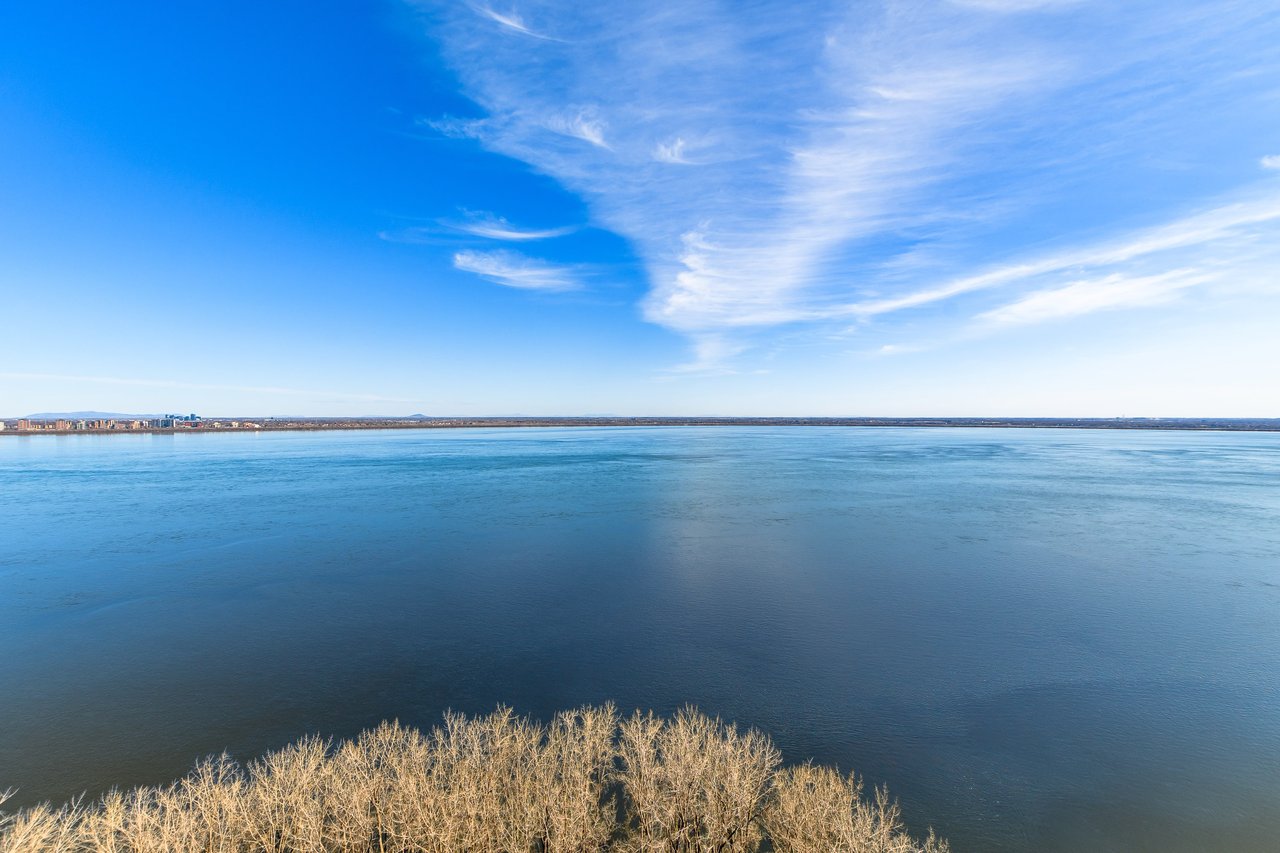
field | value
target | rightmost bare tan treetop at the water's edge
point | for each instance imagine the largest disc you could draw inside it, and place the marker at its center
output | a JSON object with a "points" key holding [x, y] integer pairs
{"points": [[816, 809]]}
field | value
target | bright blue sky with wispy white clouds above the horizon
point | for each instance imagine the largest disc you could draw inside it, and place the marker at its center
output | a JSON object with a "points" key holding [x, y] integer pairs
{"points": [[954, 208]]}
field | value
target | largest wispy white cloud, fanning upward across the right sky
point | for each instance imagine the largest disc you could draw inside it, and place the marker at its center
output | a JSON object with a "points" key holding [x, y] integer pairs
{"points": [[835, 144]]}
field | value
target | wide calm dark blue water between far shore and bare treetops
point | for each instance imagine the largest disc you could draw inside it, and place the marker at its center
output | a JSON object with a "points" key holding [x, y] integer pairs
{"points": [[1050, 640]]}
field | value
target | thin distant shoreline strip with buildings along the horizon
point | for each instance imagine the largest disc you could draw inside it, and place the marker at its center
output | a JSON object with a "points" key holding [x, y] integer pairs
{"points": [[322, 425]]}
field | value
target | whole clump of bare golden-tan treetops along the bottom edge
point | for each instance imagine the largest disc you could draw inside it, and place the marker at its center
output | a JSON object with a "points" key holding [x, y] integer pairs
{"points": [[496, 784]]}
